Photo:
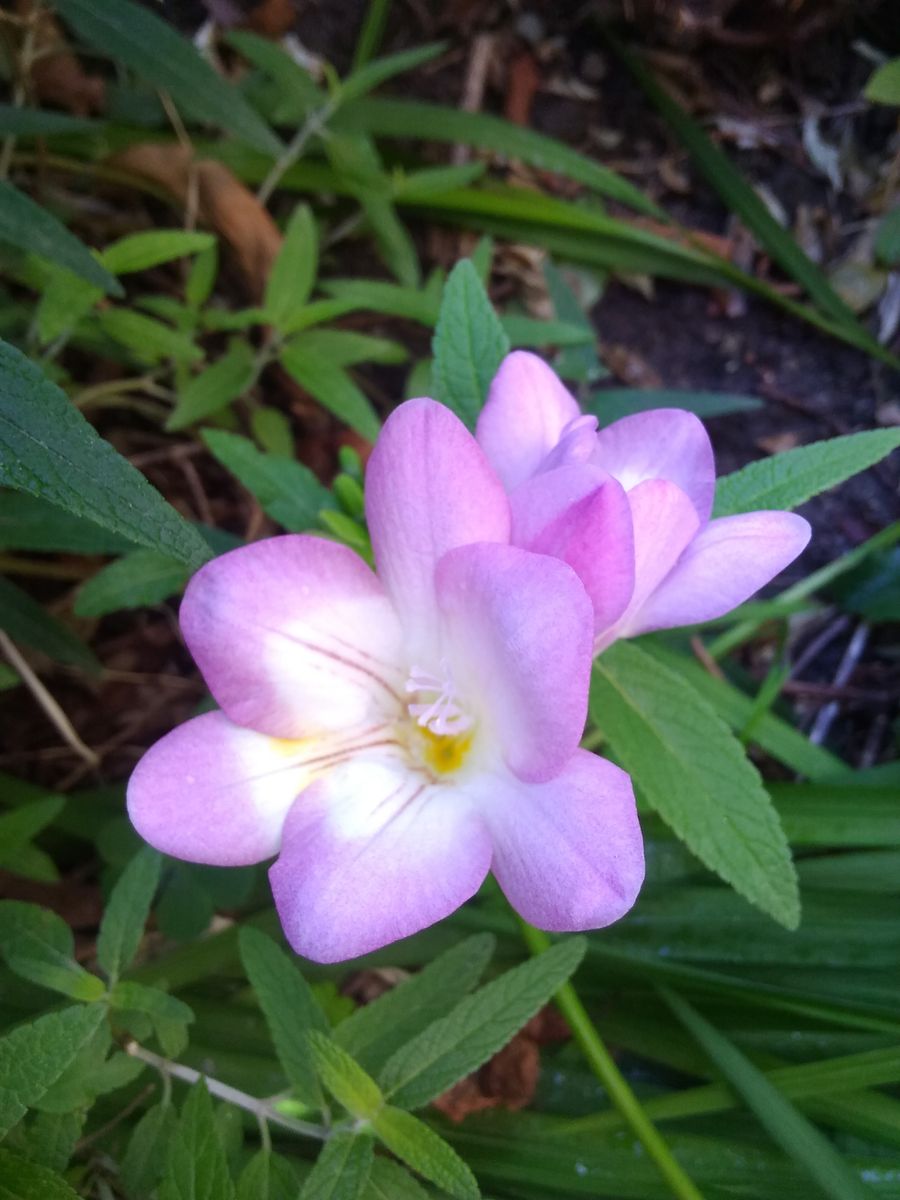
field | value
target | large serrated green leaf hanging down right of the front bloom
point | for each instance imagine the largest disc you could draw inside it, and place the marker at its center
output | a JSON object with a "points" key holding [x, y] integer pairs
{"points": [[697, 776]]}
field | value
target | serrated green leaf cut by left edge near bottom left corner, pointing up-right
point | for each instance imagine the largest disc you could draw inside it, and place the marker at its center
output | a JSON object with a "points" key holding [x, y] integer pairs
{"points": [[34, 1057]]}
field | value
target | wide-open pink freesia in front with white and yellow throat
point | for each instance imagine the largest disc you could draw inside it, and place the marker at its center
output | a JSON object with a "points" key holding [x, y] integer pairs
{"points": [[394, 737]]}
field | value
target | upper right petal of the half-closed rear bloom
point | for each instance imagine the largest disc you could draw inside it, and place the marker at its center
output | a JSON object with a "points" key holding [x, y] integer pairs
{"points": [[665, 443]]}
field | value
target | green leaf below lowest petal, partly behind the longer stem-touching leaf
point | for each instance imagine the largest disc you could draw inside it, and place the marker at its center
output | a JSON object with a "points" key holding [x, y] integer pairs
{"points": [[380, 1029]]}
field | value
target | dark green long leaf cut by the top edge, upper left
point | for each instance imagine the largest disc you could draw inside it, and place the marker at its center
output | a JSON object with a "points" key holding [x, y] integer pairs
{"points": [[155, 52]]}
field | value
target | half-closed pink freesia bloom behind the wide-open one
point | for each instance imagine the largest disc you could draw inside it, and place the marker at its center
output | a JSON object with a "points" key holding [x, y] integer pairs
{"points": [[627, 507]]}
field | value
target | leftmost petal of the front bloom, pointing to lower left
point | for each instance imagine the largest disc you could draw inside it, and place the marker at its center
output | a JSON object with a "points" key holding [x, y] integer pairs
{"points": [[215, 793]]}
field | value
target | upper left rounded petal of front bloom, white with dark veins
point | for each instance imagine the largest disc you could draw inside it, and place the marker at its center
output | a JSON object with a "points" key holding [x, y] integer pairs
{"points": [[295, 635]]}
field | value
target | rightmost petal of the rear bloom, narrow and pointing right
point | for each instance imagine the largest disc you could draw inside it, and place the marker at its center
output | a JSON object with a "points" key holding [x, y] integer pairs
{"points": [[724, 566]]}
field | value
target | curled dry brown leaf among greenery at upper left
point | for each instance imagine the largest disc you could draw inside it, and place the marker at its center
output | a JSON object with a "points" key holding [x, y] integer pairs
{"points": [[224, 205]]}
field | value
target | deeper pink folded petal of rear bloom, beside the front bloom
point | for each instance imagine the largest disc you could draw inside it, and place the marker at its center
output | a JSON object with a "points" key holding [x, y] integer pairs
{"points": [[581, 515]]}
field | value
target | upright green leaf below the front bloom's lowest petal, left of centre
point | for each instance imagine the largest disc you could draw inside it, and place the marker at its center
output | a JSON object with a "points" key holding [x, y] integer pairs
{"points": [[290, 1007]]}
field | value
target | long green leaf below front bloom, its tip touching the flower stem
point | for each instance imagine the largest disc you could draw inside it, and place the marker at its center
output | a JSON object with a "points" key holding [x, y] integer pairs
{"points": [[478, 1028]]}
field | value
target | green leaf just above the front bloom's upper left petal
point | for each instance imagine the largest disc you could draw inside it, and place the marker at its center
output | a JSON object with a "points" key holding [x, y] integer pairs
{"points": [[287, 491]]}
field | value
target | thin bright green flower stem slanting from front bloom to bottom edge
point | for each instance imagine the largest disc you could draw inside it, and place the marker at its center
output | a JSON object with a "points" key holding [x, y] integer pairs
{"points": [[617, 1088]]}
